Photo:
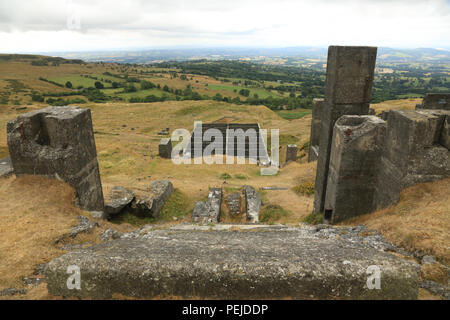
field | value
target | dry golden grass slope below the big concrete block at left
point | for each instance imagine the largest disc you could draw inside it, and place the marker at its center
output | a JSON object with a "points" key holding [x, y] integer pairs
{"points": [[34, 212]]}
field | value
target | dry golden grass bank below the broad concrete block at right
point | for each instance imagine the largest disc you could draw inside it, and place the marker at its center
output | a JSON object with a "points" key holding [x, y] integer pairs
{"points": [[420, 221]]}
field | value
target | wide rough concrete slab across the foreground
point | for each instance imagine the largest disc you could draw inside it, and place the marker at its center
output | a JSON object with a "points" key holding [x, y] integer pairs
{"points": [[193, 264]]}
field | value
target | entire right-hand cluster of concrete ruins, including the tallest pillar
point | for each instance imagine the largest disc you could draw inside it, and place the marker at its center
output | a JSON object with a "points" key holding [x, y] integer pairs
{"points": [[364, 162]]}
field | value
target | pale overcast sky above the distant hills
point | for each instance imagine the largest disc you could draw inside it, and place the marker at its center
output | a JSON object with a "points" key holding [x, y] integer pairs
{"points": [[83, 25]]}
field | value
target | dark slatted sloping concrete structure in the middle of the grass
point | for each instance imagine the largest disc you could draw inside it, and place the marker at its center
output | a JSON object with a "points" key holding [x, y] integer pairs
{"points": [[233, 139]]}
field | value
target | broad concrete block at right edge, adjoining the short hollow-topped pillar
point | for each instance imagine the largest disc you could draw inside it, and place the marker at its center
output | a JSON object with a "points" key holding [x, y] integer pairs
{"points": [[412, 153]]}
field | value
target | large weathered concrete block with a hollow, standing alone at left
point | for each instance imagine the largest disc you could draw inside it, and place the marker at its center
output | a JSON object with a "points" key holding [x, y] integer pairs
{"points": [[58, 142]]}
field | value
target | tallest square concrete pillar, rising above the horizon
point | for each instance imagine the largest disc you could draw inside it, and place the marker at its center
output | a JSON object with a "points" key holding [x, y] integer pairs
{"points": [[348, 86]]}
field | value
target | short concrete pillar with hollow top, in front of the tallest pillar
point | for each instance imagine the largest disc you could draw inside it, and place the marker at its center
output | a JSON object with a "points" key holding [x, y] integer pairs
{"points": [[355, 154]]}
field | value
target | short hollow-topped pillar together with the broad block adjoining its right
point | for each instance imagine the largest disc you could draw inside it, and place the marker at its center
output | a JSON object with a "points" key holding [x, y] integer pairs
{"points": [[372, 160]]}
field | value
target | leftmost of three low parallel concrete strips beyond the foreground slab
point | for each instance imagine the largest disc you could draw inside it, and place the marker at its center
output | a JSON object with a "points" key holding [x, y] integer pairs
{"points": [[208, 211]]}
